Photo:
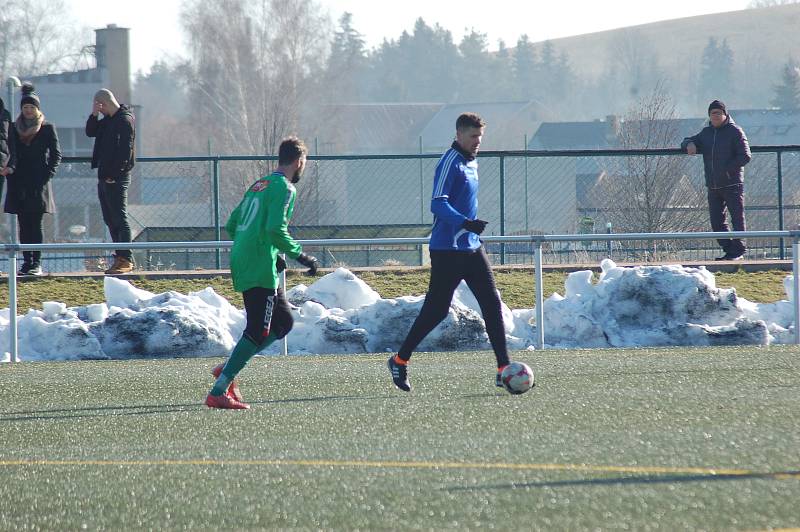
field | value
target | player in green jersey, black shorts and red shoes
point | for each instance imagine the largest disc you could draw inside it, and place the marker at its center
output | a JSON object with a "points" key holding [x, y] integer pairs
{"points": [[259, 228]]}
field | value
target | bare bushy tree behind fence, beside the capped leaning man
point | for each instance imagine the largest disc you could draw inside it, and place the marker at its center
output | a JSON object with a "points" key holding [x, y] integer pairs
{"points": [[650, 193]]}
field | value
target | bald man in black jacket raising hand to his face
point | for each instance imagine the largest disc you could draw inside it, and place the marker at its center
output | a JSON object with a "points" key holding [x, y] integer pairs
{"points": [[114, 157]]}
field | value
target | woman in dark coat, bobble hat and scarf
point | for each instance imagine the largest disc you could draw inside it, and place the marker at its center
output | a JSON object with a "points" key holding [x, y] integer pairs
{"points": [[30, 193]]}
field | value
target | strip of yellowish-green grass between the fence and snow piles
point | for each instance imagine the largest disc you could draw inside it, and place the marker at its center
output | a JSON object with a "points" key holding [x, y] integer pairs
{"points": [[515, 285]]}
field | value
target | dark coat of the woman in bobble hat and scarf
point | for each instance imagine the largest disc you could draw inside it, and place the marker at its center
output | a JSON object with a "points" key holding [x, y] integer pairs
{"points": [[29, 187]]}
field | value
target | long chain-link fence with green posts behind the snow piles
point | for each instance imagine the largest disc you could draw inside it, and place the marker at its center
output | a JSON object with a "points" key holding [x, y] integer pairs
{"points": [[525, 192]]}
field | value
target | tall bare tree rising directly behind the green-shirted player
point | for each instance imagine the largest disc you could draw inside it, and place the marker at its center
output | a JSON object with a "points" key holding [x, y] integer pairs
{"points": [[253, 76]]}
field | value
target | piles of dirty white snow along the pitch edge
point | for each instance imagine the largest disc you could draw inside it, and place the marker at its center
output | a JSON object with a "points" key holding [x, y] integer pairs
{"points": [[340, 313]]}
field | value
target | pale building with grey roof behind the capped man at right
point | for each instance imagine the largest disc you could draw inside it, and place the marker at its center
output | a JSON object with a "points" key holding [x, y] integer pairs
{"points": [[571, 183]]}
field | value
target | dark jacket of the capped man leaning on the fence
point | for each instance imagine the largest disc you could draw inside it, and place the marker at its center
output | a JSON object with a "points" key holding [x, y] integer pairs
{"points": [[725, 153]]}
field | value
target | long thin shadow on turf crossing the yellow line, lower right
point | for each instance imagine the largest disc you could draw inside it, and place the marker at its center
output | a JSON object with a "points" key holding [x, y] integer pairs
{"points": [[646, 479]]}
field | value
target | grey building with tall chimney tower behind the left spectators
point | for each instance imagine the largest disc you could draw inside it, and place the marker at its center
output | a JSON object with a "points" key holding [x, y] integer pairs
{"points": [[156, 189]]}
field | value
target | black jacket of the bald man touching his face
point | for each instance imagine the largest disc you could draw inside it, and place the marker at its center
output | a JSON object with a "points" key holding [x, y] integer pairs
{"points": [[114, 154]]}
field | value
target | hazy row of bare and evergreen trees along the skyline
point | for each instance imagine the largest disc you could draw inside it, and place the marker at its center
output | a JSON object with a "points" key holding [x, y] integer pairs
{"points": [[259, 69]]}
